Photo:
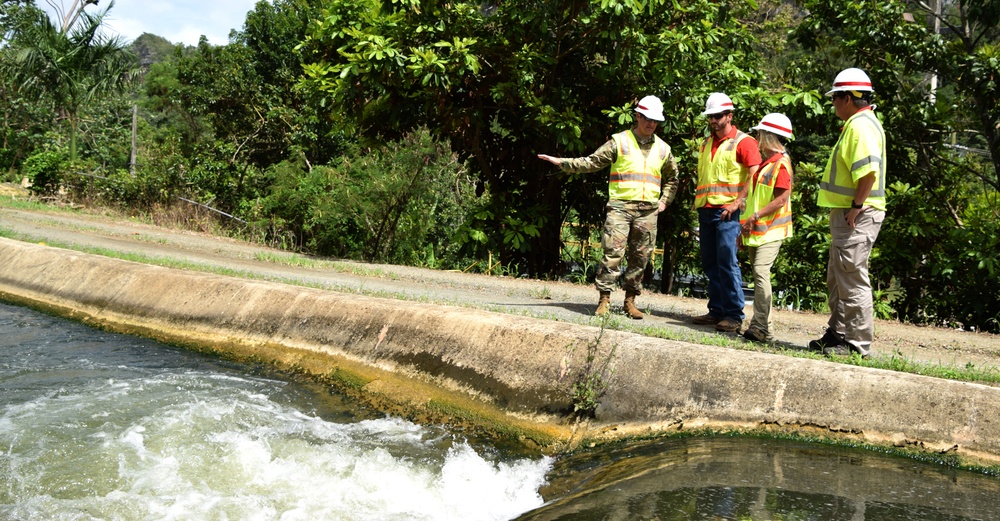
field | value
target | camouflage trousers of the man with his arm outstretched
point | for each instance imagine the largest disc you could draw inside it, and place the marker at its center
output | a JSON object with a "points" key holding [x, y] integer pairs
{"points": [[630, 234]]}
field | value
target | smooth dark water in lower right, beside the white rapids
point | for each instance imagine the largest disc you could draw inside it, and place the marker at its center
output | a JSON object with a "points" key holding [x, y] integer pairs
{"points": [[750, 479]]}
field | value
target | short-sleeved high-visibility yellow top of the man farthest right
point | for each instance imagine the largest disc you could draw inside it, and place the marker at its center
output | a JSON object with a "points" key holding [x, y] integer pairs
{"points": [[861, 145]]}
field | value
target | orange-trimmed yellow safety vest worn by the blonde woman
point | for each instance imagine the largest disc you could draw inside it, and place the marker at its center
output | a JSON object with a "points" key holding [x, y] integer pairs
{"points": [[775, 226]]}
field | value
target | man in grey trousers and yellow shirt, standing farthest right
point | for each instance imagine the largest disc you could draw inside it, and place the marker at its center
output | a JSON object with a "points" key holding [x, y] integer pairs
{"points": [[853, 188]]}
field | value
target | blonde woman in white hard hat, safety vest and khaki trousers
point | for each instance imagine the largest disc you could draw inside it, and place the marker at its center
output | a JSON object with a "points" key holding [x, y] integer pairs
{"points": [[767, 219]]}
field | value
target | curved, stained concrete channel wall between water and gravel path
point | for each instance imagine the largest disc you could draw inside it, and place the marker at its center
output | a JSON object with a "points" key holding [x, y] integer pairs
{"points": [[507, 375]]}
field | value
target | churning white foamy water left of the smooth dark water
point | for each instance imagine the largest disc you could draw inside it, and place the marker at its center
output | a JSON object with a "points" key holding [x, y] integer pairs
{"points": [[100, 426]]}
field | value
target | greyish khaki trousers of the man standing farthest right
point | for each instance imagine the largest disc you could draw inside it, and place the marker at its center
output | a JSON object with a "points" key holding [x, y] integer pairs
{"points": [[850, 298]]}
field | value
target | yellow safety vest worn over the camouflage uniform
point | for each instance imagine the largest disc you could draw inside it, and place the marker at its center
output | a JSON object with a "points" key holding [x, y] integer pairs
{"points": [[634, 176]]}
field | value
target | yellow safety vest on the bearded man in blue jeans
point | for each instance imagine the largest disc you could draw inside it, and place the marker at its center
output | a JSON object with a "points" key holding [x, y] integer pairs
{"points": [[719, 179]]}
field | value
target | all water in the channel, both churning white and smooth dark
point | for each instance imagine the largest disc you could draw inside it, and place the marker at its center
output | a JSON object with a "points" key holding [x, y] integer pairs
{"points": [[99, 426]]}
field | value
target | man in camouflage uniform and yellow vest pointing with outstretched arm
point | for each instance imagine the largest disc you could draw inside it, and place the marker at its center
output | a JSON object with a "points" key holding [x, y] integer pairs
{"points": [[643, 181]]}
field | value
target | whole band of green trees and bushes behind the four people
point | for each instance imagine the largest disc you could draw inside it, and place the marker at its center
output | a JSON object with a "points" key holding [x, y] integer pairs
{"points": [[407, 131]]}
